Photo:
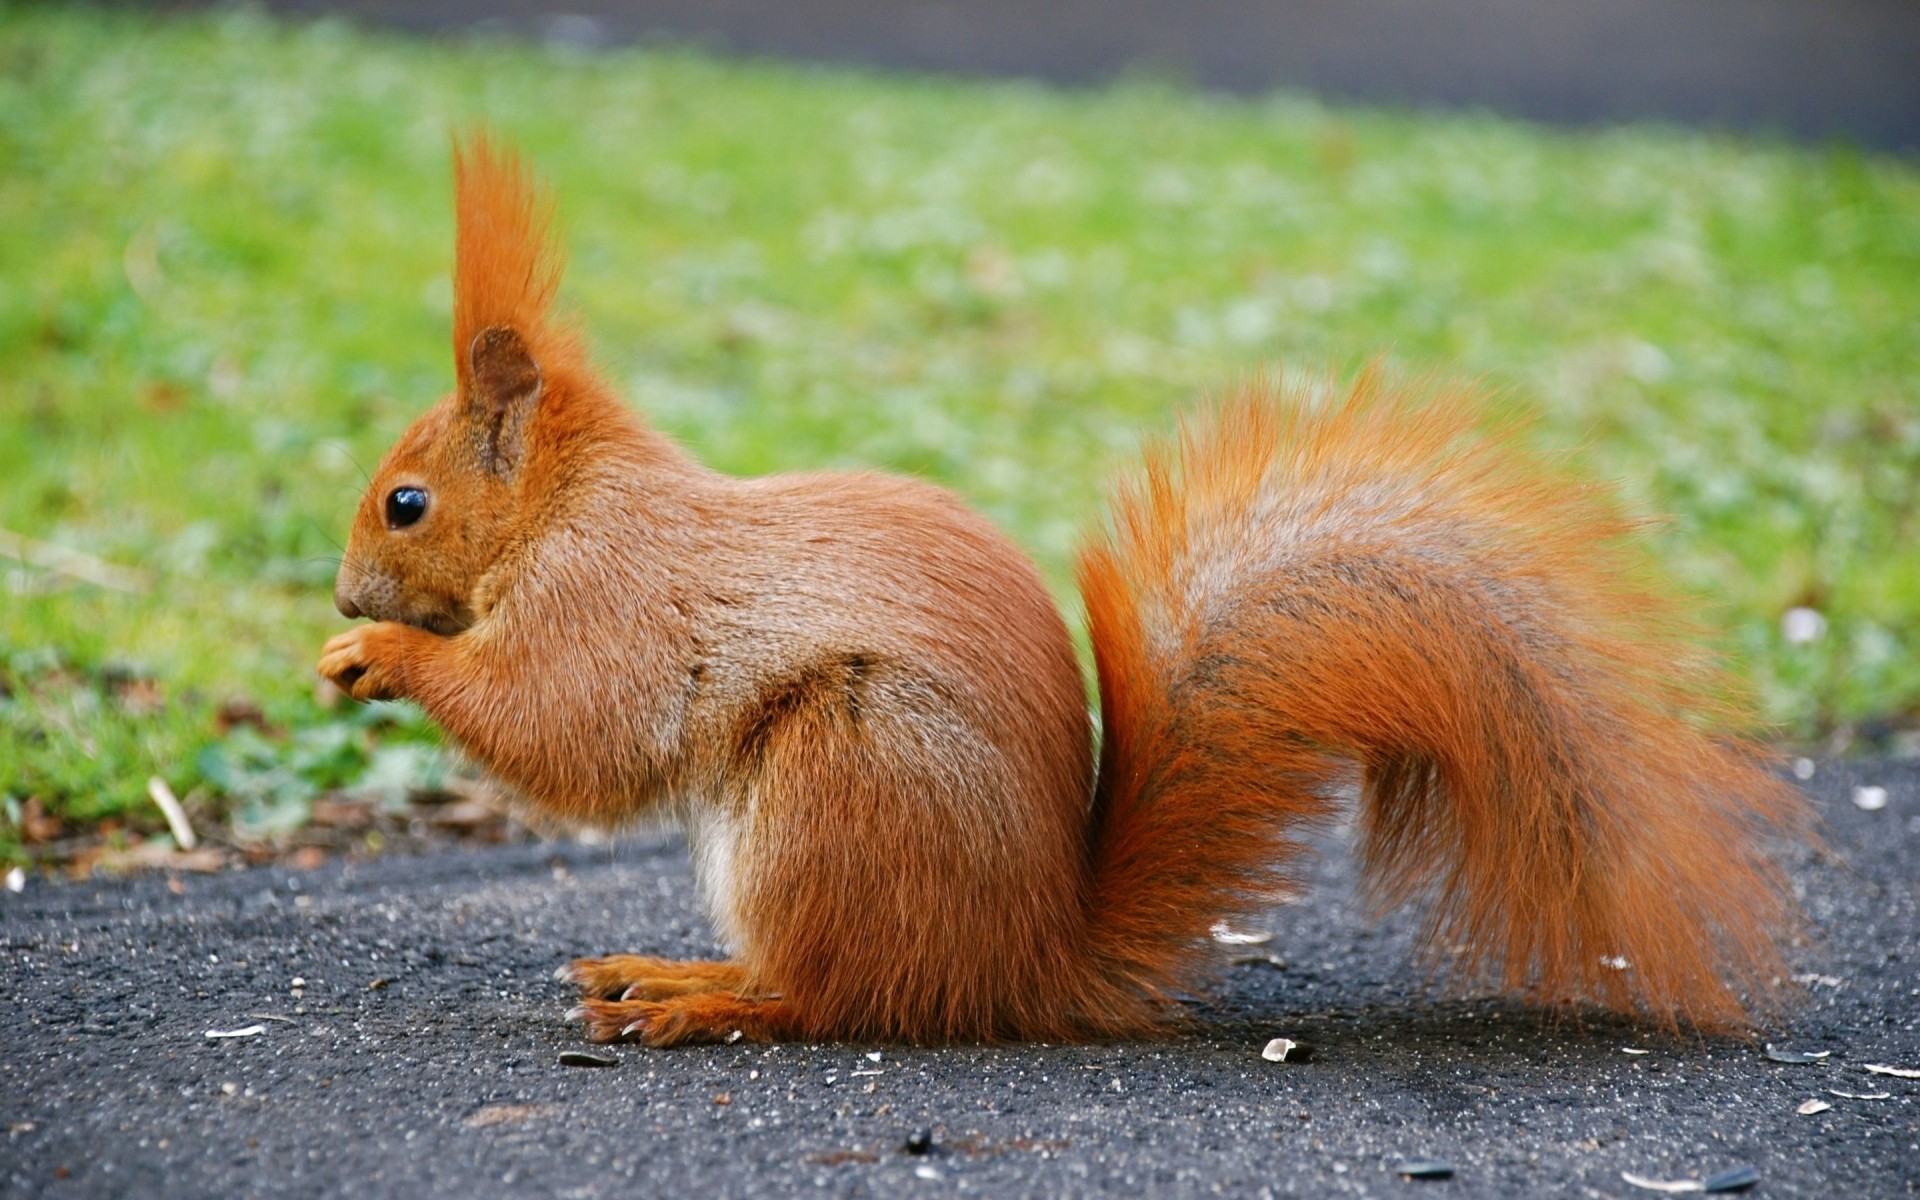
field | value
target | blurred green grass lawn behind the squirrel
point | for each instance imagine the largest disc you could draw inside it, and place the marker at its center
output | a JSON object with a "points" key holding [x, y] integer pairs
{"points": [[224, 289]]}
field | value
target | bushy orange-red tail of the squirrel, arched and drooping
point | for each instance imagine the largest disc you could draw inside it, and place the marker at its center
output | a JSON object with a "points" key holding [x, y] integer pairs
{"points": [[1295, 590]]}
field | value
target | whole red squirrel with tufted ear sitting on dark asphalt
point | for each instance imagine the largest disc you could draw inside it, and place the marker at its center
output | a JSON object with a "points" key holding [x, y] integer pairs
{"points": [[865, 709]]}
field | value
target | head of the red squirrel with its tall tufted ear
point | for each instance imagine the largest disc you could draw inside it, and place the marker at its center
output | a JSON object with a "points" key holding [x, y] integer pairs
{"points": [[462, 481]]}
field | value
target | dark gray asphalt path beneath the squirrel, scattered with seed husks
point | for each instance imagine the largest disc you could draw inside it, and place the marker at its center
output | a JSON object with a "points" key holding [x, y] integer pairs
{"points": [[414, 1034]]}
